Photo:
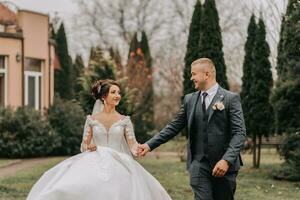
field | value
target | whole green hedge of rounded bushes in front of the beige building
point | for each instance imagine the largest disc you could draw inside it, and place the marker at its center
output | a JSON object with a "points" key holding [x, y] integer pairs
{"points": [[24, 132]]}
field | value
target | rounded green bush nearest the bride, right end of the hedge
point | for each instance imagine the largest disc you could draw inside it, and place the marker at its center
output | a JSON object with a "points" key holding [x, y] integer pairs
{"points": [[67, 119]]}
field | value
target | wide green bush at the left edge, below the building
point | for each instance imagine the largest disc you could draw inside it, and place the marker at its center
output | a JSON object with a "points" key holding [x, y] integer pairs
{"points": [[24, 132]]}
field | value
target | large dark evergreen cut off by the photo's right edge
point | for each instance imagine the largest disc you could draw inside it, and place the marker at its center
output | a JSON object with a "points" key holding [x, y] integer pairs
{"points": [[287, 94]]}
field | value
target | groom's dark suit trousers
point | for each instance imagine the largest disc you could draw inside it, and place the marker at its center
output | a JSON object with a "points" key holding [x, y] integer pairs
{"points": [[207, 187]]}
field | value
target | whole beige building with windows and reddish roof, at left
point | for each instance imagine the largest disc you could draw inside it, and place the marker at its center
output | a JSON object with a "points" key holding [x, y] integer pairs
{"points": [[26, 59]]}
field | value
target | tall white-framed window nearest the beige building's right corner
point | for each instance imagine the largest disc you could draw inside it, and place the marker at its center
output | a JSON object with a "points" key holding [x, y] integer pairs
{"points": [[33, 83]]}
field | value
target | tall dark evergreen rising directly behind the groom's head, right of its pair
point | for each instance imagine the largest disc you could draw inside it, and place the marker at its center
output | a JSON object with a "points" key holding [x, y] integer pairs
{"points": [[210, 42]]}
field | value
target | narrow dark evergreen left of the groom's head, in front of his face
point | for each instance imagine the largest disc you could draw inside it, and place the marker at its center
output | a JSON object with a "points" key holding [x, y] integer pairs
{"points": [[192, 48]]}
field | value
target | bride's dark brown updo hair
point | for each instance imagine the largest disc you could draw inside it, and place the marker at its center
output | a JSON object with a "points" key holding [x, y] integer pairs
{"points": [[101, 88]]}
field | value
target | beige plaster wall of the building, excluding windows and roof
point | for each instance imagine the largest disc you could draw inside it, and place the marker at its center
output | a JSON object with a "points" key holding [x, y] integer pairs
{"points": [[35, 31]]}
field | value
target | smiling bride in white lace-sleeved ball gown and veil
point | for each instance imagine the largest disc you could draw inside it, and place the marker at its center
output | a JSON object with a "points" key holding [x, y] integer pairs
{"points": [[105, 169]]}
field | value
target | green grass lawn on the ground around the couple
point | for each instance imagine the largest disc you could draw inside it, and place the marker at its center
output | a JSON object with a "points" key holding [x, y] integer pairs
{"points": [[252, 184]]}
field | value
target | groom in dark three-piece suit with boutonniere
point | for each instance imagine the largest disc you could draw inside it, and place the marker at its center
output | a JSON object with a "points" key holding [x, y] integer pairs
{"points": [[216, 133]]}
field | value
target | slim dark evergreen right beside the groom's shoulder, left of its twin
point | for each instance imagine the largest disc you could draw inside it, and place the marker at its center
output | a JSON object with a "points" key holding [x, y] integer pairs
{"points": [[249, 64]]}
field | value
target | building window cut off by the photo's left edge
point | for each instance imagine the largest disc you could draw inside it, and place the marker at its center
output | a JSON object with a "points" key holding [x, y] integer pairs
{"points": [[3, 80]]}
